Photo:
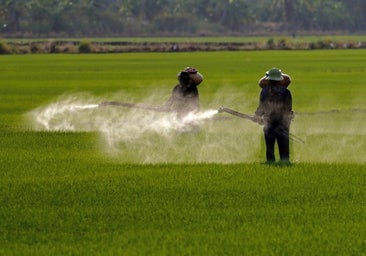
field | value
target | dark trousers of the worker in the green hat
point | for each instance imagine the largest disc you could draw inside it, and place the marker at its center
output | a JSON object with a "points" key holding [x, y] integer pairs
{"points": [[280, 133]]}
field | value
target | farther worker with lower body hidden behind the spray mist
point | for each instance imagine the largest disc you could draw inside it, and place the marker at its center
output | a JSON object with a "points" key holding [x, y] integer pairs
{"points": [[185, 96]]}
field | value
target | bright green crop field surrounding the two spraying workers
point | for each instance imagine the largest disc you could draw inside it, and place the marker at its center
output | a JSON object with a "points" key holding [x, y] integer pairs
{"points": [[118, 181]]}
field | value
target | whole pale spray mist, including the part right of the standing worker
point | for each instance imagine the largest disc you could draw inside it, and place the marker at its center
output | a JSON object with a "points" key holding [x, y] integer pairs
{"points": [[146, 136]]}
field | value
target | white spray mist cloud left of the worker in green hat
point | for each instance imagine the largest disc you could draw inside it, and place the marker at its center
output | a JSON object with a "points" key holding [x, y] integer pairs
{"points": [[147, 136]]}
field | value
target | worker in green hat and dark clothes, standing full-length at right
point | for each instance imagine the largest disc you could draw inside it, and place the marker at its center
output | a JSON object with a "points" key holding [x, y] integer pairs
{"points": [[275, 113]]}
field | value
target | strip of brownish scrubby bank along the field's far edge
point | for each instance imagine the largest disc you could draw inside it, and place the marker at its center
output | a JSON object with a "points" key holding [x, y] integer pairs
{"points": [[151, 45]]}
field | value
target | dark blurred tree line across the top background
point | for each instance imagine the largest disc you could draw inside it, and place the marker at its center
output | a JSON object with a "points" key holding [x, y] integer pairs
{"points": [[97, 18]]}
